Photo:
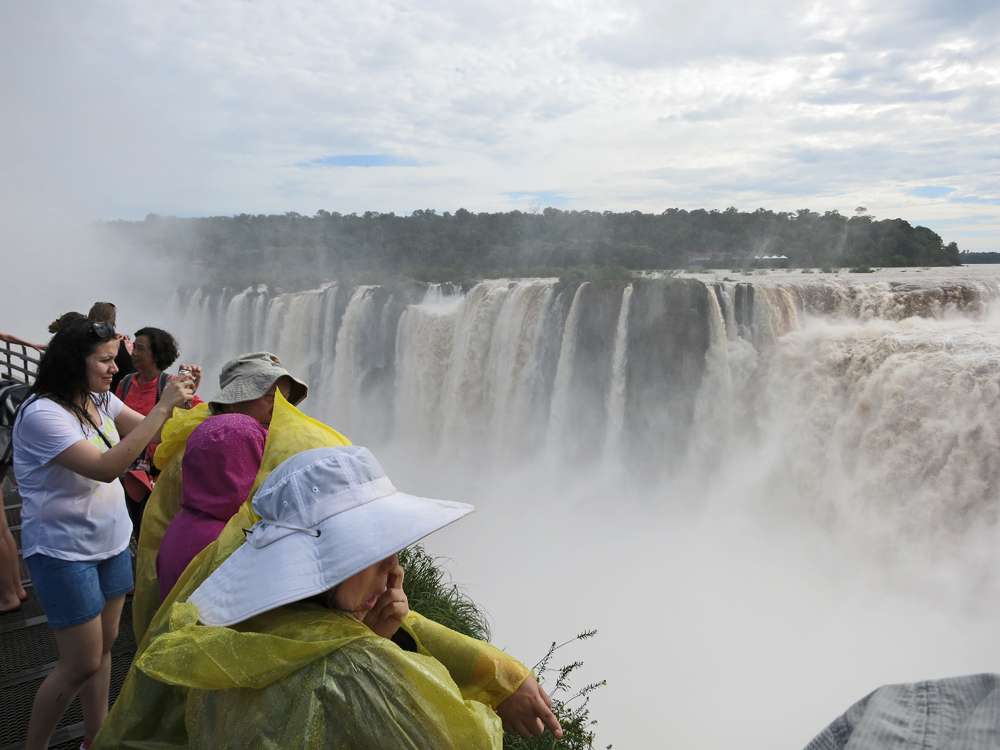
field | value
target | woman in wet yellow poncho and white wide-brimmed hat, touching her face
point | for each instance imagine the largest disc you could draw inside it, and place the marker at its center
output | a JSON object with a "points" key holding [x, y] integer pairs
{"points": [[331, 523]]}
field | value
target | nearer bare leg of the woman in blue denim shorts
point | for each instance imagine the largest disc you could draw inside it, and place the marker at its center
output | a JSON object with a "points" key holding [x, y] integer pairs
{"points": [[80, 658]]}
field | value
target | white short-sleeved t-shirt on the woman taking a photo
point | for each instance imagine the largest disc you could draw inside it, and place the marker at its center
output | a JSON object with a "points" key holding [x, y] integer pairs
{"points": [[64, 514]]}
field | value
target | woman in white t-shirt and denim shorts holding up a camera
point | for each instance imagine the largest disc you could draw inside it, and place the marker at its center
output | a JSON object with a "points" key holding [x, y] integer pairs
{"points": [[75, 526]]}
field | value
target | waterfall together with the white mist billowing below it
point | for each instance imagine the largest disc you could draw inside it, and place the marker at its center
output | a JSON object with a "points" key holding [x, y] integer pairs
{"points": [[831, 526]]}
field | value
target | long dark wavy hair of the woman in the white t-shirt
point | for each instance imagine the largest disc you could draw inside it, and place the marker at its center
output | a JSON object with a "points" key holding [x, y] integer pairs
{"points": [[62, 371]]}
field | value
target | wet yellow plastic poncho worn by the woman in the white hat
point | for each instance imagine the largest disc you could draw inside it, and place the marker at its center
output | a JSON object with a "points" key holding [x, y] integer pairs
{"points": [[363, 693]]}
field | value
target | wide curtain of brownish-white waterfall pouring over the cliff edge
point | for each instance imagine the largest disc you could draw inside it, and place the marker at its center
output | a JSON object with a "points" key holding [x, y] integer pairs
{"points": [[844, 401]]}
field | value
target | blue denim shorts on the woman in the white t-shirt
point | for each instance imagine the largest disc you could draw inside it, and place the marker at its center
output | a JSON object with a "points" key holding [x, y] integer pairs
{"points": [[73, 592]]}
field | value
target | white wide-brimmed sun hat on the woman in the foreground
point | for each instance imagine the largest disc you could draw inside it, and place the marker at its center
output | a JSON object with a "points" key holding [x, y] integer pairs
{"points": [[326, 514]]}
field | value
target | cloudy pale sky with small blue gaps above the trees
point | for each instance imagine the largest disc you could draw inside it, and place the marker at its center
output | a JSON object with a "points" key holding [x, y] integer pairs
{"points": [[115, 109]]}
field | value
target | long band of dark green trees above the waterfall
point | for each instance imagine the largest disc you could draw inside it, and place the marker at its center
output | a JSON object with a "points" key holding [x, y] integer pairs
{"points": [[433, 246]]}
